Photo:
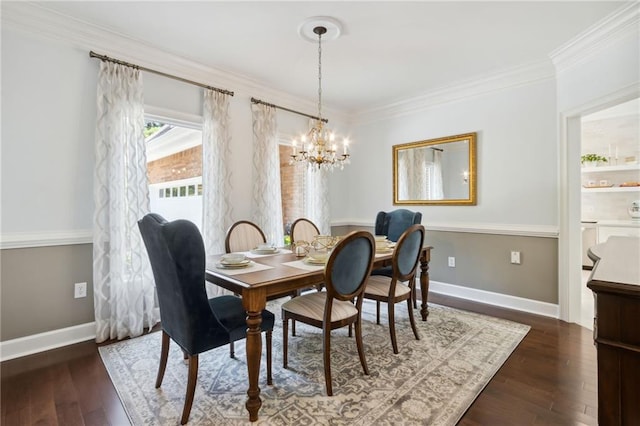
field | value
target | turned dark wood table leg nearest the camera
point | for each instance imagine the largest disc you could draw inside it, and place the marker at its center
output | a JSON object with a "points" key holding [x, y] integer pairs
{"points": [[254, 303]]}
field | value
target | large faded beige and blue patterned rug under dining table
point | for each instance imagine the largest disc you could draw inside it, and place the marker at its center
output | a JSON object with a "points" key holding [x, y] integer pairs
{"points": [[432, 381]]}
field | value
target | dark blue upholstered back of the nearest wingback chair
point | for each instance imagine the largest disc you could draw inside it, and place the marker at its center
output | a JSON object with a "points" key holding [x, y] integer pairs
{"points": [[177, 256]]}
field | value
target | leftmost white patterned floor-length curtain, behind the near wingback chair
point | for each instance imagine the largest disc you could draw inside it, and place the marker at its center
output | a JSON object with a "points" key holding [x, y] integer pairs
{"points": [[124, 291]]}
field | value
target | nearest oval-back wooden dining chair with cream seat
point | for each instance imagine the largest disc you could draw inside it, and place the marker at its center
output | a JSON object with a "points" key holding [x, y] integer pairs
{"points": [[345, 277]]}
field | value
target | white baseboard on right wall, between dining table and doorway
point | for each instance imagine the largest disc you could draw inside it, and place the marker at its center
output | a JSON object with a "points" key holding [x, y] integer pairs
{"points": [[496, 299]]}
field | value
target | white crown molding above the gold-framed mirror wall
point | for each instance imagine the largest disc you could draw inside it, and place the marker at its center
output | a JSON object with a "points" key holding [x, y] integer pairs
{"points": [[509, 78]]}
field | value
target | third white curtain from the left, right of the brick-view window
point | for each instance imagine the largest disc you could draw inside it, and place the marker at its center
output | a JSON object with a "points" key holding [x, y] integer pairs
{"points": [[267, 198]]}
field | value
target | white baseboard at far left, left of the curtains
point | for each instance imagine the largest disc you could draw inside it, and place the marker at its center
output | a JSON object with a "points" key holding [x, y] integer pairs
{"points": [[41, 342]]}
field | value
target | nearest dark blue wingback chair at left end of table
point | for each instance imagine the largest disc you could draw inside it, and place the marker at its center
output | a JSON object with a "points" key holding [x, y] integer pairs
{"points": [[196, 323]]}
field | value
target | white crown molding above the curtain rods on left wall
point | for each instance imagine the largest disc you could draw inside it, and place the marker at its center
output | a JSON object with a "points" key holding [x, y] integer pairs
{"points": [[41, 22]]}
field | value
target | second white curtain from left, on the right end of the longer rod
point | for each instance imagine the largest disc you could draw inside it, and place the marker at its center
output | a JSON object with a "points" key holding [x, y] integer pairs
{"points": [[216, 176]]}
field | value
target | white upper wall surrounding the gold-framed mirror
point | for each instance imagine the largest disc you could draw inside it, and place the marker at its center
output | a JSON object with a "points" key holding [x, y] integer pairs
{"points": [[516, 158]]}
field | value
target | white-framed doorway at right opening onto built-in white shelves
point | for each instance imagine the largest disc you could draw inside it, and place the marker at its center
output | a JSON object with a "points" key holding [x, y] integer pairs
{"points": [[576, 301]]}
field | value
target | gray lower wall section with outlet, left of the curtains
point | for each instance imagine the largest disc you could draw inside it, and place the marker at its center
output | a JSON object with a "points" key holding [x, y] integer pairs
{"points": [[37, 289]]}
